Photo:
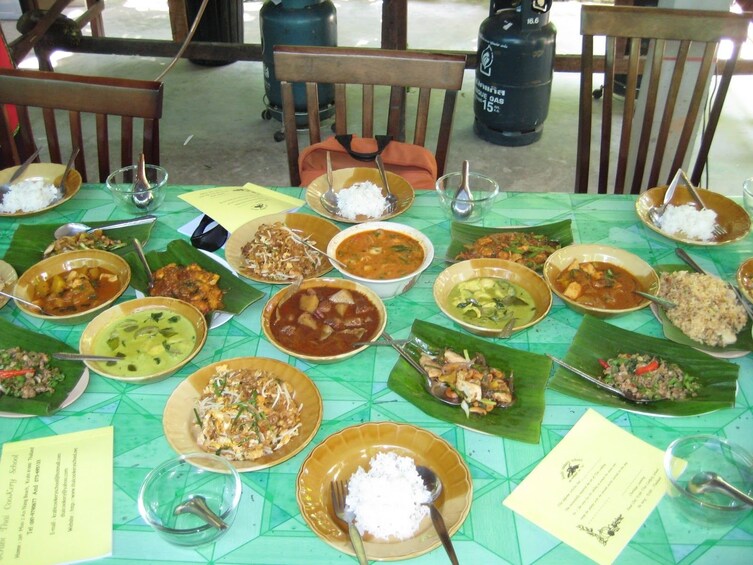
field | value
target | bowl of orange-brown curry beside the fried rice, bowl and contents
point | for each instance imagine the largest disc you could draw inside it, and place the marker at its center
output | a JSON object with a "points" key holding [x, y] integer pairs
{"points": [[618, 272]]}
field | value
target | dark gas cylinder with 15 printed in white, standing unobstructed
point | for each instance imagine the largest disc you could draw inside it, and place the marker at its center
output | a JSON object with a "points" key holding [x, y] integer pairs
{"points": [[516, 49]]}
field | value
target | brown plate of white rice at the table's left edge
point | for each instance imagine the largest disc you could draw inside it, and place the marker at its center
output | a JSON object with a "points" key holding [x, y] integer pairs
{"points": [[35, 191]]}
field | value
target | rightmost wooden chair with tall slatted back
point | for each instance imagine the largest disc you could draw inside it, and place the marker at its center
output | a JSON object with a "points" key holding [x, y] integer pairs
{"points": [[664, 29]]}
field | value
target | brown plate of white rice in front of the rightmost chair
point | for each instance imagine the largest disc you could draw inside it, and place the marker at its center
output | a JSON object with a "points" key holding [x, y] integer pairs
{"points": [[684, 222]]}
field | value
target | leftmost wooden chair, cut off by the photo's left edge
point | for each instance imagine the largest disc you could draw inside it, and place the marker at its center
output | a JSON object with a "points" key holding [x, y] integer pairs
{"points": [[77, 95]]}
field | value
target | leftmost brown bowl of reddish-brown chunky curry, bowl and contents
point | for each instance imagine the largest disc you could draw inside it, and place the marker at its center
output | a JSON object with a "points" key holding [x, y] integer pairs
{"points": [[72, 288]]}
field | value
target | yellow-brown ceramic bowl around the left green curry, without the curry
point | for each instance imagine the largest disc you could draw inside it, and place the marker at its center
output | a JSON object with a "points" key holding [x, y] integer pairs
{"points": [[158, 305]]}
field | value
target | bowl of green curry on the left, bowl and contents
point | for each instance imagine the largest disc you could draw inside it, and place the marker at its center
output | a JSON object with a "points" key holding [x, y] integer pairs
{"points": [[154, 335]]}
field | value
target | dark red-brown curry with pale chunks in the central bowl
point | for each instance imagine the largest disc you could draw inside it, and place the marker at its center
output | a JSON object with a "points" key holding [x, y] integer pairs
{"points": [[324, 321]]}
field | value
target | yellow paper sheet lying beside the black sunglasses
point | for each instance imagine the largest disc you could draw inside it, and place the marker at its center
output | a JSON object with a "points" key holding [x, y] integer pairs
{"points": [[233, 206]]}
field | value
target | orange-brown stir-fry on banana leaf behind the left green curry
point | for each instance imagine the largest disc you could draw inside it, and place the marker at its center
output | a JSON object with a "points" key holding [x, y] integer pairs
{"points": [[190, 283]]}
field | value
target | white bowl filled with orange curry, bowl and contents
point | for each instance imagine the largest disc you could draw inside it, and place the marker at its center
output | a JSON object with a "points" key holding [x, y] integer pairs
{"points": [[387, 257]]}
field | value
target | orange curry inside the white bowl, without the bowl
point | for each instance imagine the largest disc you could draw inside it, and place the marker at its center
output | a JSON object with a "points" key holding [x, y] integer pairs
{"points": [[380, 254]]}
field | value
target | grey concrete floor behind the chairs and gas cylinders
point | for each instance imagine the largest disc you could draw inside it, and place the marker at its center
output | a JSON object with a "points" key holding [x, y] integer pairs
{"points": [[212, 131]]}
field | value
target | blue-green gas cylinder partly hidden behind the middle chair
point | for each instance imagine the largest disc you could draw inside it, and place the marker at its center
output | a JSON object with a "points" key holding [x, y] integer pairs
{"points": [[296, 22]]}
